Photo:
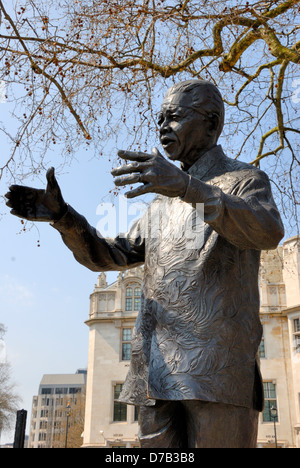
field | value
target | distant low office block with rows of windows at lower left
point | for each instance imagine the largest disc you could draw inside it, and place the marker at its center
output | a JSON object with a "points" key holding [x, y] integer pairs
{"points": [[60, 399]]}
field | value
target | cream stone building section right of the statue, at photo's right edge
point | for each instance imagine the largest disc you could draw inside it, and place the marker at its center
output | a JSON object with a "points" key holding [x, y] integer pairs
{"points": [[280, 346]]}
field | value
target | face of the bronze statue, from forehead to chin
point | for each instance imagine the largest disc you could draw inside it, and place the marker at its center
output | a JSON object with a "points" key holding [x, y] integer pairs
{"points": [[184, 132]]}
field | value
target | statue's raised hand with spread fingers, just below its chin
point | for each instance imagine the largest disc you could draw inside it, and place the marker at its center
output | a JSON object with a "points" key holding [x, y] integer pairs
{"points": [[155, 173]]}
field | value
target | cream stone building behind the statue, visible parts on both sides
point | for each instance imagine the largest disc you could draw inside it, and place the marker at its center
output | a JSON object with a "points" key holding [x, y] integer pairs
{"points": [[113, 310]]}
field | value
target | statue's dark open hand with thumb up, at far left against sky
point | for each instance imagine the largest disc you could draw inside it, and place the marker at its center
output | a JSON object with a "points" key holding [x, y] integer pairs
{"points": [[35, 204]]}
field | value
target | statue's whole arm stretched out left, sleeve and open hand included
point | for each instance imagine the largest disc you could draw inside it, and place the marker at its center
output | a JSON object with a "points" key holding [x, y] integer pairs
{"points": [[89, 248]]}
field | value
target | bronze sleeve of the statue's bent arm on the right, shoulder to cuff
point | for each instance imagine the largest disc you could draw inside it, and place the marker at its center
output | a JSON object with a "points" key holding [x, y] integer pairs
{"points": [[247, 217]]}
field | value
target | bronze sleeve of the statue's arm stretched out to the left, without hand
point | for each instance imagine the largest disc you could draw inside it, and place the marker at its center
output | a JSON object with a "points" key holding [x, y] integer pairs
{"points": [[97, 253]]}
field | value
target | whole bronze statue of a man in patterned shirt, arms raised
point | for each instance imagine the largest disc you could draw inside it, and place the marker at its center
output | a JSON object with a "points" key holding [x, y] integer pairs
{"points": [[193, 371]]}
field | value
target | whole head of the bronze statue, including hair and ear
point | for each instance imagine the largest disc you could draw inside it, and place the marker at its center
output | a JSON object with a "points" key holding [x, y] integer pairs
{"points": [[191, 120]]}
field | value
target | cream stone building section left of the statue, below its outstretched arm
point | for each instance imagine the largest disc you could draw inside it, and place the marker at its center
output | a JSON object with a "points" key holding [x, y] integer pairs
{"points": [[113, 311]]}
